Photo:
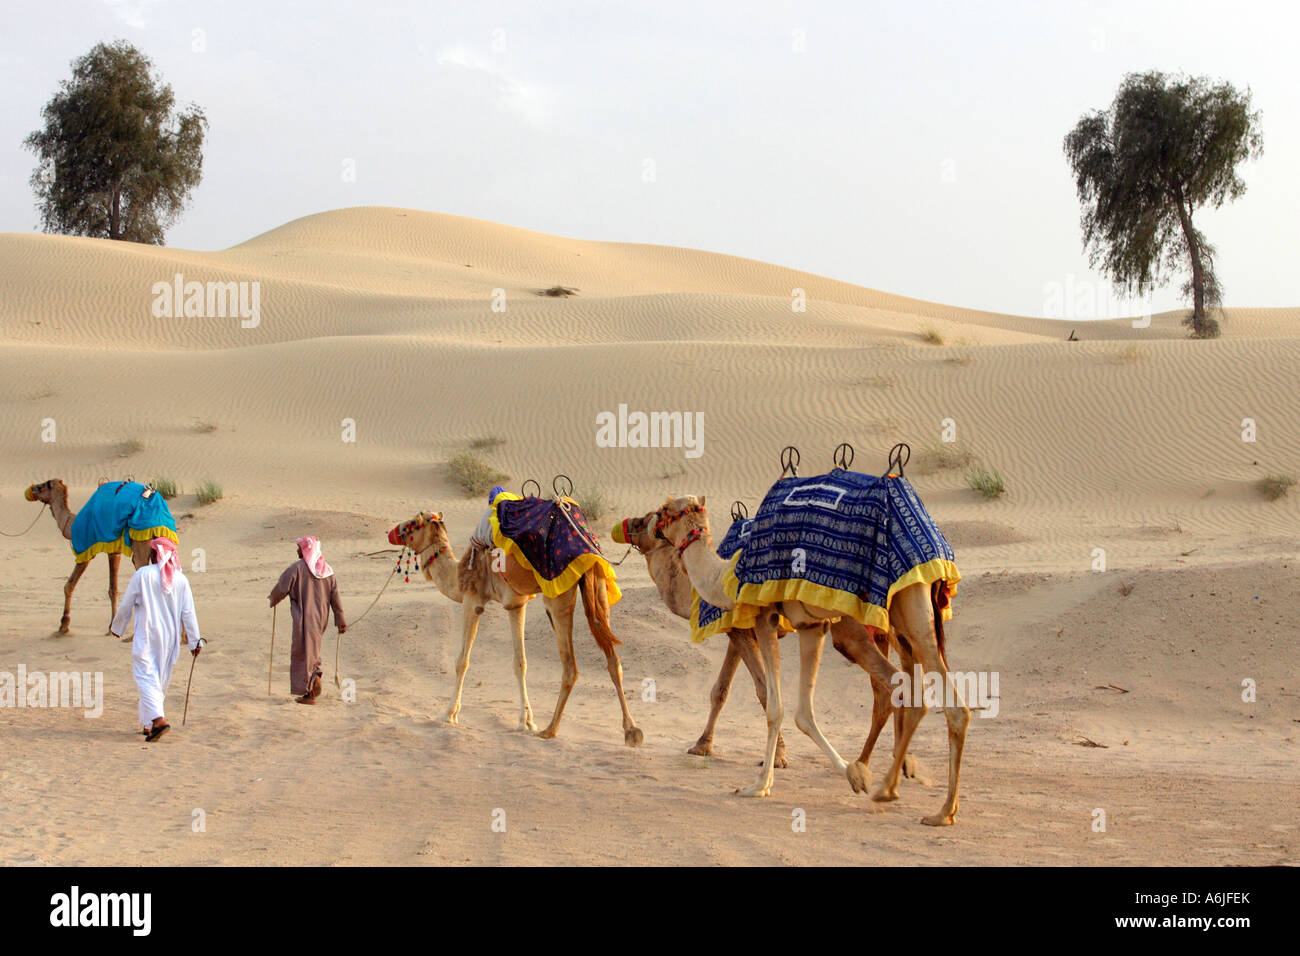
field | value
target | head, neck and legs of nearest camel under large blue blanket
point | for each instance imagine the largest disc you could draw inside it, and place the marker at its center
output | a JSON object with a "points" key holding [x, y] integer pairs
{"points": [[915, 620]]}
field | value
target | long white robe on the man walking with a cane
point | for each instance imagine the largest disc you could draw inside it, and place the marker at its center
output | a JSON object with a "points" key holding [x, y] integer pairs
{"points": [[159, 617]]}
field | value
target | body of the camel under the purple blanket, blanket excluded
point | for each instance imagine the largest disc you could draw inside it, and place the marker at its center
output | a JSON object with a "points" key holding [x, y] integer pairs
{"points": [[513, 589]]}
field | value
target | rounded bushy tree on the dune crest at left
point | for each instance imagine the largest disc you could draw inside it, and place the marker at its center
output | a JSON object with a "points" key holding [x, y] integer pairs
{"points": [[116, 161]]}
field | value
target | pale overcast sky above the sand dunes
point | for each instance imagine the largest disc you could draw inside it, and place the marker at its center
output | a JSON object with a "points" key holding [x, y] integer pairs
{"points": [[912, 148]]}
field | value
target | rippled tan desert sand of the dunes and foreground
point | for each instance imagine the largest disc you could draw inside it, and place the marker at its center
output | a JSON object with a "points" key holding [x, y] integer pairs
{"points": [[1129, 440]]}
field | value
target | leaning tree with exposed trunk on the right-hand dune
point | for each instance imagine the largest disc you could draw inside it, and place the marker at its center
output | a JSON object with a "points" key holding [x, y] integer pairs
{"points": [[1167, 148]]}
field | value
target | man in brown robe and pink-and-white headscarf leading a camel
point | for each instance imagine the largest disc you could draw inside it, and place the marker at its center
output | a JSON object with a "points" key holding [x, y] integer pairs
{"points": [[313, 592]]}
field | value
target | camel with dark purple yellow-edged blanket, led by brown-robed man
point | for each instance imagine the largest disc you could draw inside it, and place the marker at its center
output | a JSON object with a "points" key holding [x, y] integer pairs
{"points": [[540, 547]]}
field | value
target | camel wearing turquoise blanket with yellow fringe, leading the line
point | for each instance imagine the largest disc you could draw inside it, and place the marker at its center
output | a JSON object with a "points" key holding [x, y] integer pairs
{"points": [[120, 518]]}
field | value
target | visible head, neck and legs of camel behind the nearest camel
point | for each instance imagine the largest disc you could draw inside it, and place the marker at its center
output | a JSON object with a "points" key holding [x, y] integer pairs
{"points": [[848, 637]]}
